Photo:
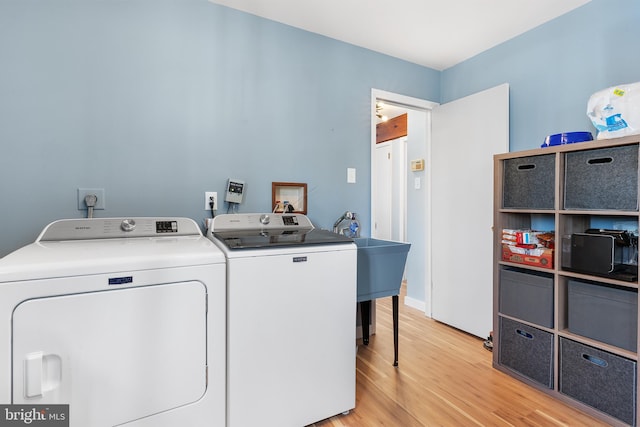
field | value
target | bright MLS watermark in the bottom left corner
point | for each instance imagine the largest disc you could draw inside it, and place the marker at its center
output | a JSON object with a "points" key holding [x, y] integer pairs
{"points": [[34, 415]]}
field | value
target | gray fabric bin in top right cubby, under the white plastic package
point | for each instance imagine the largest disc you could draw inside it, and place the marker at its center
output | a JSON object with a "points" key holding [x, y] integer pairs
{"points": [[602, 179]]}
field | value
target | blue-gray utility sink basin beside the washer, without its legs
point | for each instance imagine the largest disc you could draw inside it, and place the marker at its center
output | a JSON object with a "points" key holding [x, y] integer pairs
{"points": [[380, 267]]}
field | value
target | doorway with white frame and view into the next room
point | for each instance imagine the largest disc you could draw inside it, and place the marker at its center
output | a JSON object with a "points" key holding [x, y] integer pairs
{"points": [[400, 196]]}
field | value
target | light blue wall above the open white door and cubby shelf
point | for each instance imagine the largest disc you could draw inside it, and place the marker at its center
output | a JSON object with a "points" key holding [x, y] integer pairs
{"points": [[553, 69]]}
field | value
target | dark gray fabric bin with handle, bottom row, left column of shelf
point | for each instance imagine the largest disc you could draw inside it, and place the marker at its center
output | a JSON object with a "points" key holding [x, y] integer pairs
{"points": [[526, 350]]}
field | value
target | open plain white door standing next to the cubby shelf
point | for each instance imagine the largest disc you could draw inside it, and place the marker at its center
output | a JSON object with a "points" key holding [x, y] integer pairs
{"points": [[466, 133]]}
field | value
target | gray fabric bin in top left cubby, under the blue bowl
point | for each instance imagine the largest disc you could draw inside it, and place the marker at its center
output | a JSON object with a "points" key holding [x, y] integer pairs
{"points": [[529, 182]]}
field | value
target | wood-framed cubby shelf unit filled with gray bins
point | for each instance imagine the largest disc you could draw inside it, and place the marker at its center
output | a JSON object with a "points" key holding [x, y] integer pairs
{"points": [[563, 322]]}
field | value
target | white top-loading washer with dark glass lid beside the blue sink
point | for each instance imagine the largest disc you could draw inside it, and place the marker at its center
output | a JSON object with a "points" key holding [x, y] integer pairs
{"points": [[291, 309]]}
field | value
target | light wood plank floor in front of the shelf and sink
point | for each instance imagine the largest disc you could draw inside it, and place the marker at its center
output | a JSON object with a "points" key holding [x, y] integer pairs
{"points": [[444, 378]]}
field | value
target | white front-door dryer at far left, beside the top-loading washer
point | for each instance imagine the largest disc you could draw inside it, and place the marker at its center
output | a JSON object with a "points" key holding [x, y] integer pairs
{"points": [[121, 319]]}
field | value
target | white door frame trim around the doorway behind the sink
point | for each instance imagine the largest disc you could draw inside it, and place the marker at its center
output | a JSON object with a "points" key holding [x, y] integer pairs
{"points": [[412, 104]]}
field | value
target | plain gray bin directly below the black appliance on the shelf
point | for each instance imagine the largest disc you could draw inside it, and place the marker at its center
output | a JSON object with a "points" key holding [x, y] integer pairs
{"points": [[604, 313]]}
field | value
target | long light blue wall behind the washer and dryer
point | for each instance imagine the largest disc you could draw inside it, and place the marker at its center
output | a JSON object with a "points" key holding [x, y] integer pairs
{"points": [[158, 101]]}
